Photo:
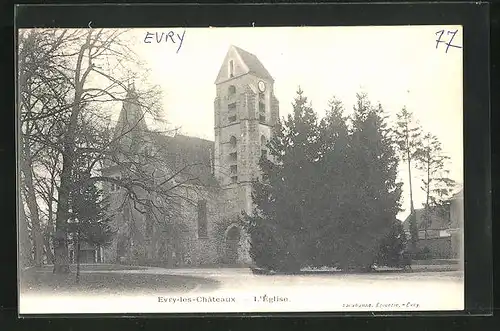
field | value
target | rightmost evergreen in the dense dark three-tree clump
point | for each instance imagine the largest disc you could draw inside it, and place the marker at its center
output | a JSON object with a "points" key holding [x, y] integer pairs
{"points": [[375, 193]]}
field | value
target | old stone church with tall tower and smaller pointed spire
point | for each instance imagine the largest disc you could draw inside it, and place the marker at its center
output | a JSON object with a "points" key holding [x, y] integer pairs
{"points": [[188, 210]]}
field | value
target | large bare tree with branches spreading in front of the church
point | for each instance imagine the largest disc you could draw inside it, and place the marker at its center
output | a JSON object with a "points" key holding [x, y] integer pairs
{"points": [[96, 66]]}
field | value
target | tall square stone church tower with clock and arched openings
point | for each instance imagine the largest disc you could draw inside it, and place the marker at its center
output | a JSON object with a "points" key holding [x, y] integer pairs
{"points": [[246, 111]]}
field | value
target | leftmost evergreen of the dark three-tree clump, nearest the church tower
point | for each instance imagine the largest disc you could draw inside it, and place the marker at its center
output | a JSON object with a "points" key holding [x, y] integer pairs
{"points": [[284, 199]]}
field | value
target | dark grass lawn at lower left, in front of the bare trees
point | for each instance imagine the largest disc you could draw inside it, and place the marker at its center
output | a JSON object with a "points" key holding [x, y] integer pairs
{"points": [[106, 279]]}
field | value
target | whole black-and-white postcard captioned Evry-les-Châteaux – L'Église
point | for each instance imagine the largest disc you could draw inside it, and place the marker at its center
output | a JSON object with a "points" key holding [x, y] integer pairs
{"points": [[240, 170]]}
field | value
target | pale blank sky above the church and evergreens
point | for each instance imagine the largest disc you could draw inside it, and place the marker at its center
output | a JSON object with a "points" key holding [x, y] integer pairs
{"points": [[396, 66]]}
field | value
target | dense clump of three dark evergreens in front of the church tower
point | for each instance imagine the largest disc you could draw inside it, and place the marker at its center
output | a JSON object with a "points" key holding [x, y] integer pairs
{"points": [[327, 196]]}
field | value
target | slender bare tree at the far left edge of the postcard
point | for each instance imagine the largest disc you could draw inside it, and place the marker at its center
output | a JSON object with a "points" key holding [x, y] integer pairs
{"points": [[40, 92]]}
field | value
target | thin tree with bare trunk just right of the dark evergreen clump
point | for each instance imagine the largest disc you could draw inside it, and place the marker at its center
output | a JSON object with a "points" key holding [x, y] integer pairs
{"points": [[408, 136]]}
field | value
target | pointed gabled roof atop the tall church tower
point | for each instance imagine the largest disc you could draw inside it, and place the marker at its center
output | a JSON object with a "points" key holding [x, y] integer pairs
{"points": [[248, 63]]}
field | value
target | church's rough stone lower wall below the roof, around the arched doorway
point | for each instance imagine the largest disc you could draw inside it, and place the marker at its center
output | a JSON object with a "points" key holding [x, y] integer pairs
{"points": [[223, 210]]}
